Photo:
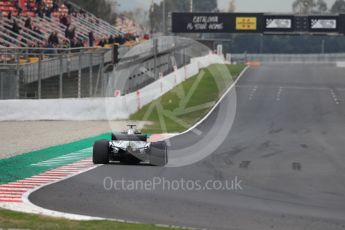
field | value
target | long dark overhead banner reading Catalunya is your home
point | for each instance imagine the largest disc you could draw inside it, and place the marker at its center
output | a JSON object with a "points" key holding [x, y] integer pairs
{"points": [[257, 23]]}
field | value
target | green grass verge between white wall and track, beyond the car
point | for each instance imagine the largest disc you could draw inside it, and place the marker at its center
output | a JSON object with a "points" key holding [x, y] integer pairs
{"points": [[188, 102]]}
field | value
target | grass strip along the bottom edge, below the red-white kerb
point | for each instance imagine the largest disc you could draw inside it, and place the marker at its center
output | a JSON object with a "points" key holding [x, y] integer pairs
{"points": [[15, 220]]}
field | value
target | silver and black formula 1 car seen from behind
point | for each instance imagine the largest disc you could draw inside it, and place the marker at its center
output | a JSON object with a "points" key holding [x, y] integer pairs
{"points": [[130, 147]]}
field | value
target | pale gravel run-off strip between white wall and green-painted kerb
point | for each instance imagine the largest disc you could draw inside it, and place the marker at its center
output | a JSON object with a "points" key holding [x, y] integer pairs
{"points": [[22, 137]]}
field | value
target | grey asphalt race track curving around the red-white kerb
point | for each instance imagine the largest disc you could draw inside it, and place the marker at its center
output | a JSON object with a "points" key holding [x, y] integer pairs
{"points": [[286, 145]]}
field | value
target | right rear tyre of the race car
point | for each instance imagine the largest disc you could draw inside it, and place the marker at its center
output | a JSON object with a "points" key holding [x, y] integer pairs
{"points": [[159, 153]]}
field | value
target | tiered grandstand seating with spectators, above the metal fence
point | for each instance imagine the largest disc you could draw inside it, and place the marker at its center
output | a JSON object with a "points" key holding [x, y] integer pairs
{"points": [[37, 23]]}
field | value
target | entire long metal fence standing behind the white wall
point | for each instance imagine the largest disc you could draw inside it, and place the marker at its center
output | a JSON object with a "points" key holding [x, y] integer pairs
{"points": [[28, 73]]}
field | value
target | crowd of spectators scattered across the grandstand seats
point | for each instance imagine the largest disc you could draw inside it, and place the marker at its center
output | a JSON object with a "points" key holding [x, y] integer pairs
{"points": [[70, 39]]}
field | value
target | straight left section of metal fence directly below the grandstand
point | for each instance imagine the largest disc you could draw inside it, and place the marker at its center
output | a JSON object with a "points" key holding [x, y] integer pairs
{"points": [[53, 73]]}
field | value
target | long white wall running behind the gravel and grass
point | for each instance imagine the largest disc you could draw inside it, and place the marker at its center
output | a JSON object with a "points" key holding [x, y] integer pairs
{"points": [[100, 108]]}
